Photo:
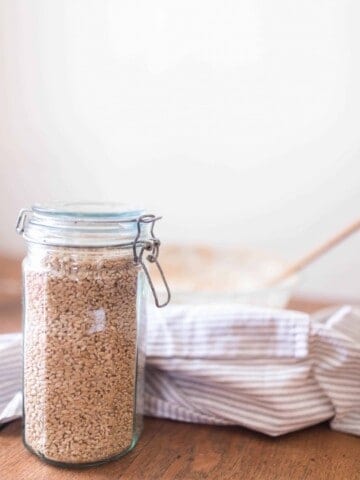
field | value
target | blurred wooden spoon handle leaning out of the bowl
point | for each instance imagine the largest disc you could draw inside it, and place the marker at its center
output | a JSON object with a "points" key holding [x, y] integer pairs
{"points": [[317, 252]]}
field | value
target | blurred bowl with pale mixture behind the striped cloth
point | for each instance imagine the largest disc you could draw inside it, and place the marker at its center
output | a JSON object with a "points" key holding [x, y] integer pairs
{"points": [[204, 274]]}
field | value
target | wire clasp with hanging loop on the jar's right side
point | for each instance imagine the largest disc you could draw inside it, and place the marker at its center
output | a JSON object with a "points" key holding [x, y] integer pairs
{"points": [[152, 245]]}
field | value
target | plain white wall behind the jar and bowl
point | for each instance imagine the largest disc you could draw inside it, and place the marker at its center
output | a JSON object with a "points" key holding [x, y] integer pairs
{"points": [[237, 120]]}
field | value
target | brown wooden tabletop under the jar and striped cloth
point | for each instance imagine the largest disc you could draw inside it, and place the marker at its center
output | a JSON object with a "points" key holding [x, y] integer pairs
{"points": [[173, 450]]}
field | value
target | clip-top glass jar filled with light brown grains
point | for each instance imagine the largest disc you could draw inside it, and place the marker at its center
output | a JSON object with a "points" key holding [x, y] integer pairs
{"points": [[84, 311]]}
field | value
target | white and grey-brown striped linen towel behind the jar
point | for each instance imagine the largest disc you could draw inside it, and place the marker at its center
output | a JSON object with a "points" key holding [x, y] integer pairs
{"points": [[274, 371]]}
